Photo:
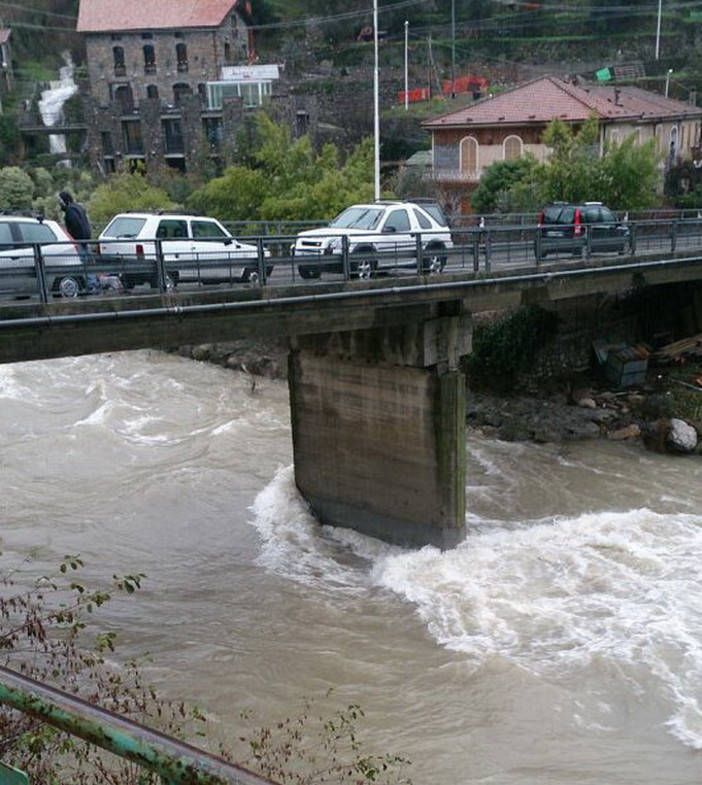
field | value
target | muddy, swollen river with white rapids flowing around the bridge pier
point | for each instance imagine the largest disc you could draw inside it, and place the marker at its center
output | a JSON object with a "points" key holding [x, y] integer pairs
{"points": [[560, 643]]}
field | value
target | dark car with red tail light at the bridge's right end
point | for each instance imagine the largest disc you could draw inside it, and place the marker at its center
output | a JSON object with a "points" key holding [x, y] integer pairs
{"points": [[570, 228]]}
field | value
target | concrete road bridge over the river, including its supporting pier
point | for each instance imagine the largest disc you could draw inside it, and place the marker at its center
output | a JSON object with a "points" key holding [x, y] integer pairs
{"points": [[377, 394]]}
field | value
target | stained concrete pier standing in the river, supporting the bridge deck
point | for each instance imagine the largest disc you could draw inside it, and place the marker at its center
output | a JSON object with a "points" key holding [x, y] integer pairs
{"points": [[378, 423]]}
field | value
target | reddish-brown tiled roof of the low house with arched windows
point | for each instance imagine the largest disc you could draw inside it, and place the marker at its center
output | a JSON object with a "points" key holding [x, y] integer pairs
{"points": [[547, 98]]}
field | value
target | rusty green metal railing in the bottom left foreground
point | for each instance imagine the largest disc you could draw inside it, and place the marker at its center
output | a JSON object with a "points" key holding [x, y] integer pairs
{"points": [[176, 762]]}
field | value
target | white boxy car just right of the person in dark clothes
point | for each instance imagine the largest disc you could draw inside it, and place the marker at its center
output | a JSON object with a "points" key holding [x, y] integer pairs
{"points": [[194, 249]]}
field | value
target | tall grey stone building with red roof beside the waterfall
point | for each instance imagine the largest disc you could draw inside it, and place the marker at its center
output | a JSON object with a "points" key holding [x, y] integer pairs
{"points": [[169, 80]]}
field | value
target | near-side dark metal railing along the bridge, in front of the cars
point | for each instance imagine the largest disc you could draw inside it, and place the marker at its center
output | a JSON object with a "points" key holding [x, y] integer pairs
{"points": [[36, 272]]}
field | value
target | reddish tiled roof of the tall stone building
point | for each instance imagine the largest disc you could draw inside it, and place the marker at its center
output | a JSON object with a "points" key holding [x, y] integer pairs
{"points": [[99, 16]]}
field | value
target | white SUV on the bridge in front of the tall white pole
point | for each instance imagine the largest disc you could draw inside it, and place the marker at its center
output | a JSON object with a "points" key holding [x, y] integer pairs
{"points": [[380, 235]]}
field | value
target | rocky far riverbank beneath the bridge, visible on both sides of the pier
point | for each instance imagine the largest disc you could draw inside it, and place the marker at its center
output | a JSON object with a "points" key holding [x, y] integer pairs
{"points": [[665, 412]]}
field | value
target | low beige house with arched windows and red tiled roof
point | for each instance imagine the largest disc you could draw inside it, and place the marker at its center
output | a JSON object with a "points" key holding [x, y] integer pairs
{"points": [[512, 123]]}
